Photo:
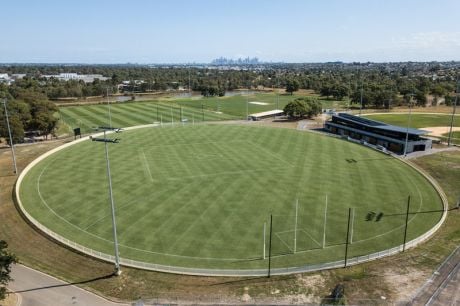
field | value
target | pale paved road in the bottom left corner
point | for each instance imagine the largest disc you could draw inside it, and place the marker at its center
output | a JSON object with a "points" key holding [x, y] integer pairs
{"points": [[38, 289]]}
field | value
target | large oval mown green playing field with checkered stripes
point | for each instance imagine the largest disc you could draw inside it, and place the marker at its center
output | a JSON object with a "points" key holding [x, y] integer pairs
{"points": [[198, 196]]}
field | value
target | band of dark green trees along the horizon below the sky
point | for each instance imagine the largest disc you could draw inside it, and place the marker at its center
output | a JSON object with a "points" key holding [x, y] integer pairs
{"points": [[364, 84]]}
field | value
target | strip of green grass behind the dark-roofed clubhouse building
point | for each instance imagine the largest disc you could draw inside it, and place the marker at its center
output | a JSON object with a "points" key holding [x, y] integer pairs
{"points": [[417, 120]]}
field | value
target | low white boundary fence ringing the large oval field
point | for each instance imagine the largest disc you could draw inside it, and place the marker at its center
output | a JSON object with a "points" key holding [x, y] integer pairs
{"points": [[222, 272]]}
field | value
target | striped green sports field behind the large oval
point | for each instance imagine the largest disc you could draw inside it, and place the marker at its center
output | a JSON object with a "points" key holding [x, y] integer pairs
{"points": [[193, 109]]}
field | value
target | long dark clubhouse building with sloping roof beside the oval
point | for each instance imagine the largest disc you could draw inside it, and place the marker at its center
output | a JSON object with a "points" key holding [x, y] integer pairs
{"points": [[379, 134]]}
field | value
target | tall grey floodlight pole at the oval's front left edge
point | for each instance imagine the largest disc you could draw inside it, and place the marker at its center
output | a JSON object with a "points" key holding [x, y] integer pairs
{"points": [[112, 203]]}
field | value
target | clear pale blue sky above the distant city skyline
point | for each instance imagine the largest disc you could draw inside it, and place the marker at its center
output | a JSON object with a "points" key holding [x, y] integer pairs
{"points": [[173, 31]]}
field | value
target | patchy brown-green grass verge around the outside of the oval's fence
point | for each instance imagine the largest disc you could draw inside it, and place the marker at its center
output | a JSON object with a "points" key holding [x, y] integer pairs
{"points": [[395, 278]]}
